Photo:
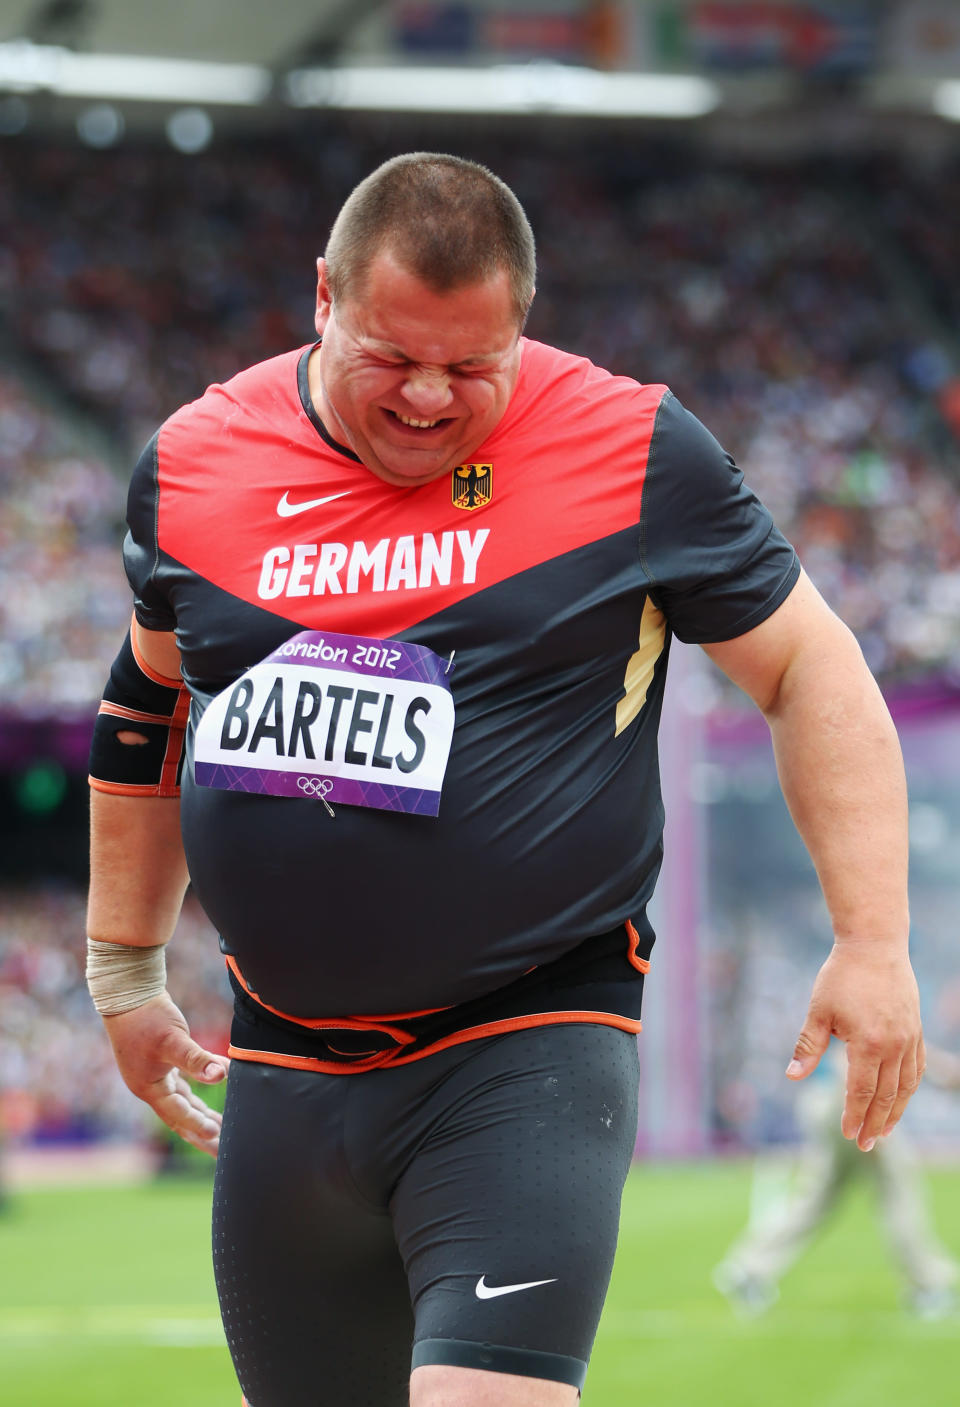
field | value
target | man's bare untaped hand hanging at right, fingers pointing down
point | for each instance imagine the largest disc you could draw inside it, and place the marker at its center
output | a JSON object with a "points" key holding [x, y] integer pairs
{"points": [[866, 995]]}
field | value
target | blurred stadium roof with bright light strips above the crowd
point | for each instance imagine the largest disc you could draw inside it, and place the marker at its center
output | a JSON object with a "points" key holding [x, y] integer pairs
{"points": [[244, 56]]}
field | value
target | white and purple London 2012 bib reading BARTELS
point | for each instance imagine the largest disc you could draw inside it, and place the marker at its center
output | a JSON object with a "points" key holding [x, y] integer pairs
{"points": [[339, 718]]}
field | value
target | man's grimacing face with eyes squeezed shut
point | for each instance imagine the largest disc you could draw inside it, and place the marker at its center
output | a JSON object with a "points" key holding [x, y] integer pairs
{"points": [[410, 379]]}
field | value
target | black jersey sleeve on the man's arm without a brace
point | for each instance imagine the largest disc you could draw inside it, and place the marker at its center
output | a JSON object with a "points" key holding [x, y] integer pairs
{"points": [[716, 561]]}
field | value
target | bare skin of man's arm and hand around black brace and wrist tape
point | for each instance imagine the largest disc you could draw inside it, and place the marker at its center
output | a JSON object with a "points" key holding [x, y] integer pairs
{"points": [[139, 877]]}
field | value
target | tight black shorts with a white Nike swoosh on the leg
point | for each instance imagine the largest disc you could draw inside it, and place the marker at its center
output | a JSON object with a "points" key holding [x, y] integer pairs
{"points": [[462, 1209]]}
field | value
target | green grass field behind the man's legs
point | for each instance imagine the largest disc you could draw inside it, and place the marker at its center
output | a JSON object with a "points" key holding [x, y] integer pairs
{"points": [[108, 1301]]}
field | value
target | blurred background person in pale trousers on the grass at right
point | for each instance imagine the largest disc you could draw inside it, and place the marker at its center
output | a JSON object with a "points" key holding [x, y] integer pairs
{"points": [[827, 1167]]}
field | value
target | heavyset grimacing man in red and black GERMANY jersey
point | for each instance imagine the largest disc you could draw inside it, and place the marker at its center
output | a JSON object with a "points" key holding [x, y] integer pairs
{"points": [[419, 582]]}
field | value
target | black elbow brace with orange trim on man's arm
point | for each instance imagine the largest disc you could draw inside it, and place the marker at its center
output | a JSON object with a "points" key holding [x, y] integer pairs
{"points": [[139, 700]]}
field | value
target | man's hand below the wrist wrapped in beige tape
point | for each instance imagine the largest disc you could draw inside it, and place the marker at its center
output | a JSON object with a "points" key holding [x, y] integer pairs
{"points": [[156, 1055]]}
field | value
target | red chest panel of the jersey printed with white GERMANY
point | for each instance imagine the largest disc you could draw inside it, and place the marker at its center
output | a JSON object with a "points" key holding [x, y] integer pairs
{"points": [[257, 502]]}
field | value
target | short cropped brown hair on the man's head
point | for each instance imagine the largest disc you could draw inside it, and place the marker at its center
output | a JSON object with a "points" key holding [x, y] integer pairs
{"points": [[447, 220]]}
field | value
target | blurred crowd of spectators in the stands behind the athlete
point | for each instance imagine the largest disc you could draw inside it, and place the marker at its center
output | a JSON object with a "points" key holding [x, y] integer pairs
{"points": [[807, 313]]}
